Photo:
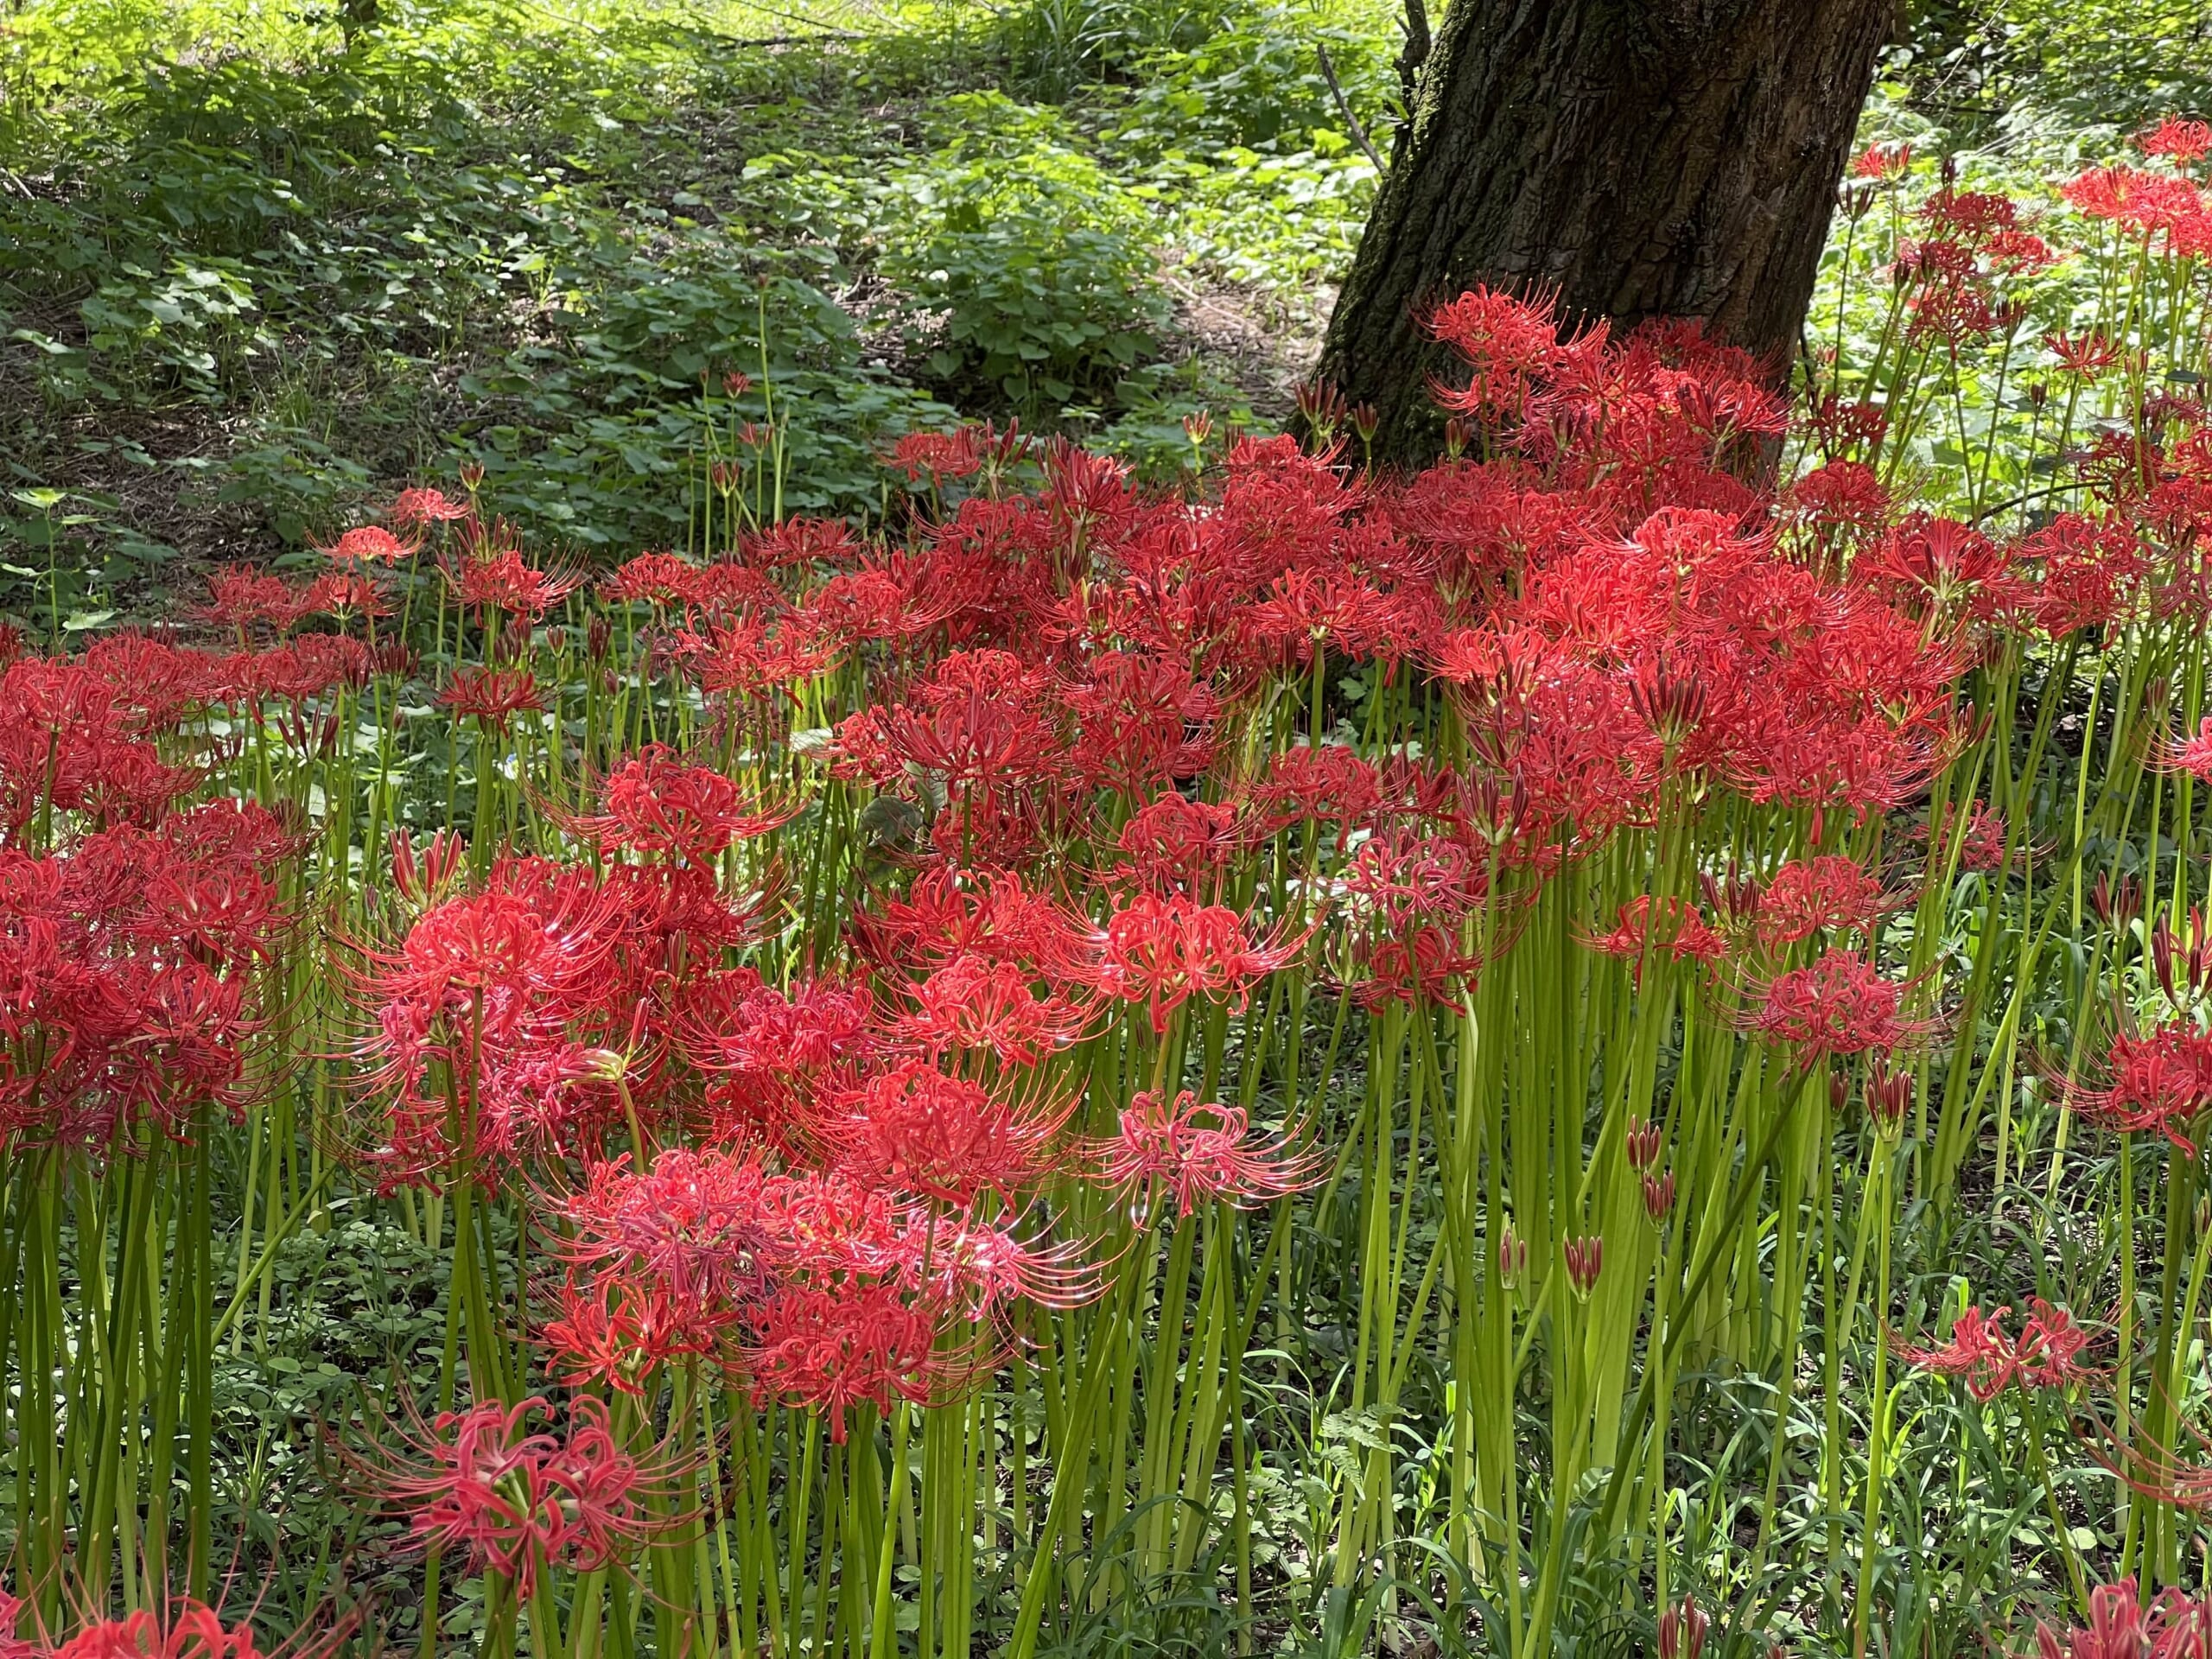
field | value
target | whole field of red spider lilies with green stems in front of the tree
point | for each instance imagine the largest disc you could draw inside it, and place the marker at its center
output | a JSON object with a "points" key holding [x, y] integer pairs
{"points": [[1286, 1050]]}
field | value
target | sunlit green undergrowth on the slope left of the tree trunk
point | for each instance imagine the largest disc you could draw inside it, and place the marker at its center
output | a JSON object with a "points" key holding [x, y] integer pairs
{"points": [[255, 271]]}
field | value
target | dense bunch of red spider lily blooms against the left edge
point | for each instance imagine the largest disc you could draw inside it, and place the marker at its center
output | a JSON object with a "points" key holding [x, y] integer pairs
{"points": [[129, 924]]}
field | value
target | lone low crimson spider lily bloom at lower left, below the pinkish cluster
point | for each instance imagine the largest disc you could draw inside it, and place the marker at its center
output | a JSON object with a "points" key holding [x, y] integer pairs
{"points": [[525, 1501]]}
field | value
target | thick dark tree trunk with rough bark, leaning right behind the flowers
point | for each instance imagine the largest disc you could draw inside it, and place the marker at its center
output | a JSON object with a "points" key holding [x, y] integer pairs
{"points": [[1640, 158]]}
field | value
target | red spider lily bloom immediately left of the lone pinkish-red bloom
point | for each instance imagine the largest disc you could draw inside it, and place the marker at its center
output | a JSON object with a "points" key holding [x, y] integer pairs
{"points": [[943, 1138]]}
